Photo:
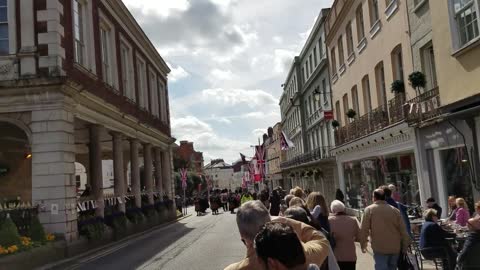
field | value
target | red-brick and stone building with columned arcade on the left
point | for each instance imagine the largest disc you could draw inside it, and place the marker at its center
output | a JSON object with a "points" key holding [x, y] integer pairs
{"points": [[80, 82]]}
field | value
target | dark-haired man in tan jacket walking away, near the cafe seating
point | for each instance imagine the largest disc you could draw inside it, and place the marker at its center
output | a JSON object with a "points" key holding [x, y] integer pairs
{"points": [[386, 229]]}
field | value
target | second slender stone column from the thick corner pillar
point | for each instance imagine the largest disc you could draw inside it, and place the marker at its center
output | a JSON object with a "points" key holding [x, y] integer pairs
{"points": [[118, 172]]}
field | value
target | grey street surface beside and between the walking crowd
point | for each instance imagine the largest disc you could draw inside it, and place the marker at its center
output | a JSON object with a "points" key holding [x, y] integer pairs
{"points": [[194, 243]]}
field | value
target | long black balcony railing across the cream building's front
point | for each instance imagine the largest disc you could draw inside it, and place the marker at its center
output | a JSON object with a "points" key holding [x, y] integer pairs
{"points": [[377, 119]]}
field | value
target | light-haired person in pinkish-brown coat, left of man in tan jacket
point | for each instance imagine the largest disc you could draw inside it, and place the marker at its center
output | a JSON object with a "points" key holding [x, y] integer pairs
{"points": [[346, 231]]}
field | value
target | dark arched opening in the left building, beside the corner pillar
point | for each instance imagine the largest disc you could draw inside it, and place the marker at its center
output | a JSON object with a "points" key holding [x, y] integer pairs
{"points": [[15, 164]]}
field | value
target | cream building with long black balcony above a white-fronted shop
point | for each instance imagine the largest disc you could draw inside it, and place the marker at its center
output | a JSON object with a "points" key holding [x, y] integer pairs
{"points": [[369, 46]]}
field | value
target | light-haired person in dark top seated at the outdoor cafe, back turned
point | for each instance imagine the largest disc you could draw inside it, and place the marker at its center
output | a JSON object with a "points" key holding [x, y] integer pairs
{"points": [[433, 240]]}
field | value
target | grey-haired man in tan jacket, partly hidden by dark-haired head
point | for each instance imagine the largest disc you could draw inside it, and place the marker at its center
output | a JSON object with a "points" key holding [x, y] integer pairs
{"points": [[252, 215]]}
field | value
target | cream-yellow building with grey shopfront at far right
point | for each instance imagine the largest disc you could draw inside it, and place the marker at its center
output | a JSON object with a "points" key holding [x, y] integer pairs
{"points": [[445, 49]]}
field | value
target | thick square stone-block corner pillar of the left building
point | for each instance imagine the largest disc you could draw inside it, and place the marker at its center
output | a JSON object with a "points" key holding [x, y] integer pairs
{"points": [[53, 171]]}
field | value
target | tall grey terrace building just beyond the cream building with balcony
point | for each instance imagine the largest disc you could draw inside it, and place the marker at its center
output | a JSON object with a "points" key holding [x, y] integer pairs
{"points": [[306, 111]]}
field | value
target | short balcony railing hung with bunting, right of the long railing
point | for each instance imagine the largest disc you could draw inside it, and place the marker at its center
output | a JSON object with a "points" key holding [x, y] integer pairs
{"points": [[423, 107]]}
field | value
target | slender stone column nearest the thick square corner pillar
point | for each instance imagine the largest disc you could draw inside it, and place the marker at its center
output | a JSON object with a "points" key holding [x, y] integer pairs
{"points": [[96, 176]]}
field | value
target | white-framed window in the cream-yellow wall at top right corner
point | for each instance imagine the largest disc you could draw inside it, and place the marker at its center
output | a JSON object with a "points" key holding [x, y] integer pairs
{"points": [[466, 20]]}
